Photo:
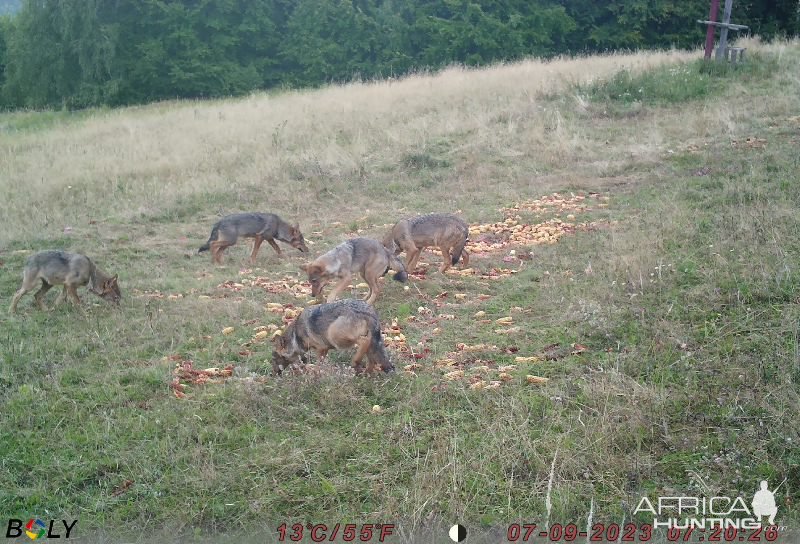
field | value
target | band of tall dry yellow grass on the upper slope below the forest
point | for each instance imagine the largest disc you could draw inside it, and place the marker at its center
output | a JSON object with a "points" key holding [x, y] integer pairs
{"points": [[132, 161]]}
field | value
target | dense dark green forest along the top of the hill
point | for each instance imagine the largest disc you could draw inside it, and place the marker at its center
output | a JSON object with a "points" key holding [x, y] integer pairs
{"points": [[113, 52]]}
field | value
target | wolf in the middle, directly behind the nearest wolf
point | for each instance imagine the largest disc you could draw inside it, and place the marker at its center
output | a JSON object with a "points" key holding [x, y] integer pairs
{"points": [[362, 255]]}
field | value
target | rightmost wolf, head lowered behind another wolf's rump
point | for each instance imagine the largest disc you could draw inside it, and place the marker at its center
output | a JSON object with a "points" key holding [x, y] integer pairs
{"points": [[442, 230]]}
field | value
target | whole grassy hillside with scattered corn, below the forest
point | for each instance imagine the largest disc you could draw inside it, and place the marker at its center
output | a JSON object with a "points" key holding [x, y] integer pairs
{"points": [[636, 216]]}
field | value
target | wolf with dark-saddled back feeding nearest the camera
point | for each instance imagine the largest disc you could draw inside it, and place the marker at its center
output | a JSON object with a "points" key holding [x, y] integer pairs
{"points": [[336, 325]]}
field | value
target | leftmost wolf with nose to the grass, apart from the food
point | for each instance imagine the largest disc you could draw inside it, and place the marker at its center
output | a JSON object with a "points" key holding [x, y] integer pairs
{"points": [[55, 267]]}
